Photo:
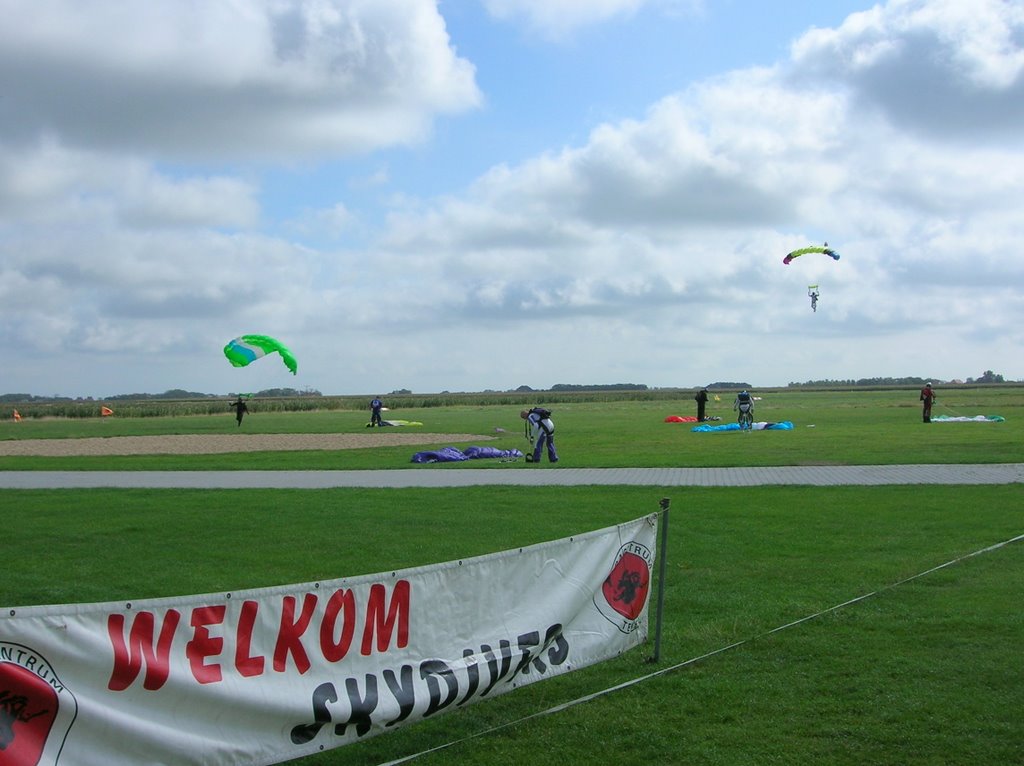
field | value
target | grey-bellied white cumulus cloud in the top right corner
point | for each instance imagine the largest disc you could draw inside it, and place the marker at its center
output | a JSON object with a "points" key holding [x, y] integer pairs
{"points": [[945, 68]]}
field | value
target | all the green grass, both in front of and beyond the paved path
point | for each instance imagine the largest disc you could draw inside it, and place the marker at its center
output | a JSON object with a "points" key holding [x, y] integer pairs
{"points": [[926, 672]]}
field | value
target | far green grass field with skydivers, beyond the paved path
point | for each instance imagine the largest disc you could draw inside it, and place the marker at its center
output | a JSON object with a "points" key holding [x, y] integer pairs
{"points": [[830, 429]]}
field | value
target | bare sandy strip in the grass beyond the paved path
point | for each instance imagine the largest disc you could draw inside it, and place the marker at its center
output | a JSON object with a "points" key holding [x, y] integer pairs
{"points": [[235, 443]]}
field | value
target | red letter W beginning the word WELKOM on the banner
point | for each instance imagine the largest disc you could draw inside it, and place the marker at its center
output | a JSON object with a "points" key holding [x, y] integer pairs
{"points": [[130, 656]]}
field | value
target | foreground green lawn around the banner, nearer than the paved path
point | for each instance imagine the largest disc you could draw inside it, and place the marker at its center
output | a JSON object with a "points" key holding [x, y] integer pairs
{"points": [[925, 673]]}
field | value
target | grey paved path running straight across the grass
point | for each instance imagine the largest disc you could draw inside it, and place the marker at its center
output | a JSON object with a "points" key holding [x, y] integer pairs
{"points": [[1005, 474]]}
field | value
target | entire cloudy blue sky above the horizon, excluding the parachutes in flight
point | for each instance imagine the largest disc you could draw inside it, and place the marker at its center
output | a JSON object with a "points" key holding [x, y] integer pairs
{"points": [[487, 194]]}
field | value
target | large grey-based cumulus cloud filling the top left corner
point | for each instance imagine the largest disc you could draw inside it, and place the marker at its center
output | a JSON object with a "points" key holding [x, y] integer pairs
{"points": [[279, 80]]}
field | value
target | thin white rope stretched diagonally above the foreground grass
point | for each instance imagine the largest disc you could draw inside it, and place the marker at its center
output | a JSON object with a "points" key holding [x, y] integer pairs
{"points": [[694, 661]]}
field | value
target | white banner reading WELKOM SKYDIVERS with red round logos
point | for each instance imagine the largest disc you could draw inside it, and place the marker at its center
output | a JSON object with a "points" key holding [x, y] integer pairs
{"points": [[265, 676]]}
